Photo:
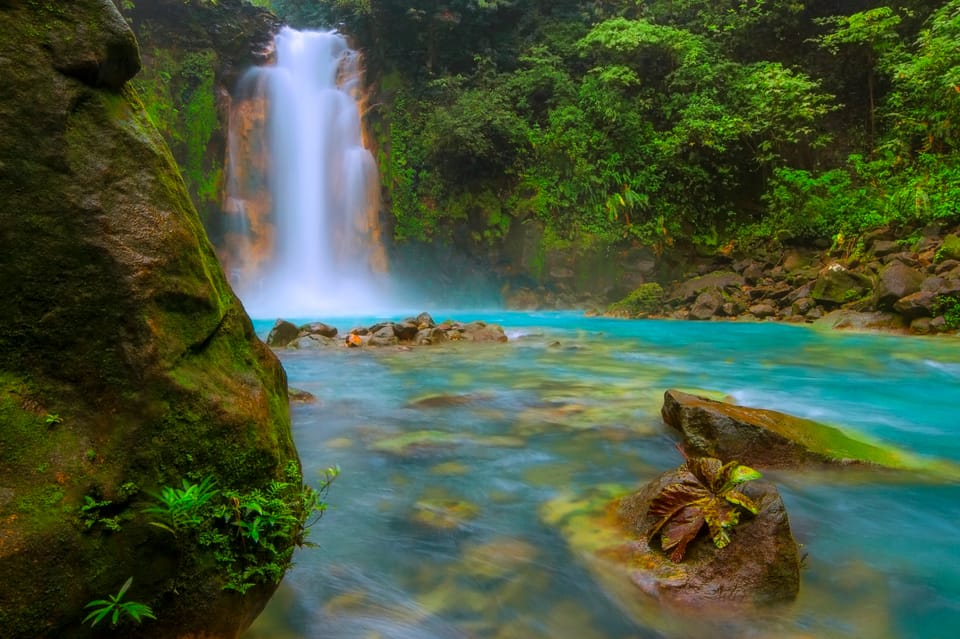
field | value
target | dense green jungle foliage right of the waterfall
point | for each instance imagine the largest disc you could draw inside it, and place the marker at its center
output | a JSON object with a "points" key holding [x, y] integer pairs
{"points": [[715, 121]]}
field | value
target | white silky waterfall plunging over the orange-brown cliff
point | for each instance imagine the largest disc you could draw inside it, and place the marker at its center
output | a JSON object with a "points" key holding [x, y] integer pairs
{"points": [[302, 191]]}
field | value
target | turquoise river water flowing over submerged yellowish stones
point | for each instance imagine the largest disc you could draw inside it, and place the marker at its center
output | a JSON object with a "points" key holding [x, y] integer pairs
{"points": [[453, 458]]}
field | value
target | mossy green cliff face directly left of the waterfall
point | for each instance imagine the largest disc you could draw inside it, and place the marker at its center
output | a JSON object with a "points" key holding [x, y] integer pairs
{"points": [[193, 56]]}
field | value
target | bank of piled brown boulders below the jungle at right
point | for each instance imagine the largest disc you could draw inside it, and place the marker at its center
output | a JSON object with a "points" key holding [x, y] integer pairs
{"points": [[880, 281]]}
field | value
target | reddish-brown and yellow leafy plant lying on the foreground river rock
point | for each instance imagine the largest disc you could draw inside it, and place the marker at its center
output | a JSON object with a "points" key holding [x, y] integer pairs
{"points": [[705, 494]]}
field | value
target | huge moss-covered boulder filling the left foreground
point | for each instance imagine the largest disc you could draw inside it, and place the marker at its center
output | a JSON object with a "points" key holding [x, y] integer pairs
{"points": [[126, 362]]}
